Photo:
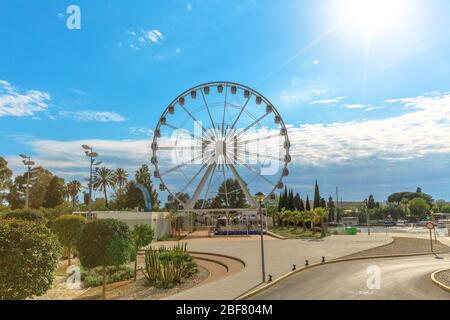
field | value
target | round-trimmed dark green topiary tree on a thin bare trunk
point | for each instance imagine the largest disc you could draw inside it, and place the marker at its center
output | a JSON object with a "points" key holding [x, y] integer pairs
{"points": [[105, 242]]}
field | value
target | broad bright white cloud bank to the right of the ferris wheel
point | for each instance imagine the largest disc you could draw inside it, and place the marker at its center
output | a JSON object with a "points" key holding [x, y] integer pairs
{"points": [[423, 131]]}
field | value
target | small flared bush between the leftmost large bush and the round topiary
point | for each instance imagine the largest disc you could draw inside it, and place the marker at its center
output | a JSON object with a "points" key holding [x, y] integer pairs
{"points": [[68, 228]]}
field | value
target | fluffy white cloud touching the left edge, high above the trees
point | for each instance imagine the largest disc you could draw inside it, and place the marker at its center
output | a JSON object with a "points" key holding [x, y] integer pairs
{"points": [[15, 103]]}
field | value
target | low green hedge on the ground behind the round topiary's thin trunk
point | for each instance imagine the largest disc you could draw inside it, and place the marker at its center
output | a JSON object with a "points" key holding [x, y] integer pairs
{"points": [[94, 277]]}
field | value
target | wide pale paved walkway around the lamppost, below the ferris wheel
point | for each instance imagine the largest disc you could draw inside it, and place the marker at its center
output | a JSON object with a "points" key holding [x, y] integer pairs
{"points": [[280, 256]]}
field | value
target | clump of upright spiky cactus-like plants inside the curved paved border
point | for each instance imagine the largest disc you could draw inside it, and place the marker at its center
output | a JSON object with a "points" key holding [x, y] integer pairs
{"points": [[165, 268]]}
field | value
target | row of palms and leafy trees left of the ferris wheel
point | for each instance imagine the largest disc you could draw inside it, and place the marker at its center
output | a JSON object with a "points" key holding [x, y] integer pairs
{"points": [[47, 190]]}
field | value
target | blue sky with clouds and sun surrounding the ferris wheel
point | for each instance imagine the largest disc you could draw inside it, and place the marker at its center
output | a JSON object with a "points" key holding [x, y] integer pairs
{"points": [[365, 90]]}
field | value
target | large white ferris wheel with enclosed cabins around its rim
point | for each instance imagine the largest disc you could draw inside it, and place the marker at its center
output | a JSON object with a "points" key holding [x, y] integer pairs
{"points": [[218, 143]]}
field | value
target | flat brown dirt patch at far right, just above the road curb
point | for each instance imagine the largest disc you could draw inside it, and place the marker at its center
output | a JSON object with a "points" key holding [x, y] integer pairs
{"points": [[403, 246]]}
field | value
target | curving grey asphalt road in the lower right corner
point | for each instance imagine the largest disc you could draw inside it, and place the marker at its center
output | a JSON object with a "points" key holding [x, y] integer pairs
{"points": [[400, 278]]}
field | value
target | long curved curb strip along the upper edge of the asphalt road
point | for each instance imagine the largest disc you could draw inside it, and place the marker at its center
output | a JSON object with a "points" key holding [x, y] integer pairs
{"points": [[291, 273]]}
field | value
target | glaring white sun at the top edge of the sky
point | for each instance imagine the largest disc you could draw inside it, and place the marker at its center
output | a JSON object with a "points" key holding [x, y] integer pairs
{"points": [[370, 15]]}
